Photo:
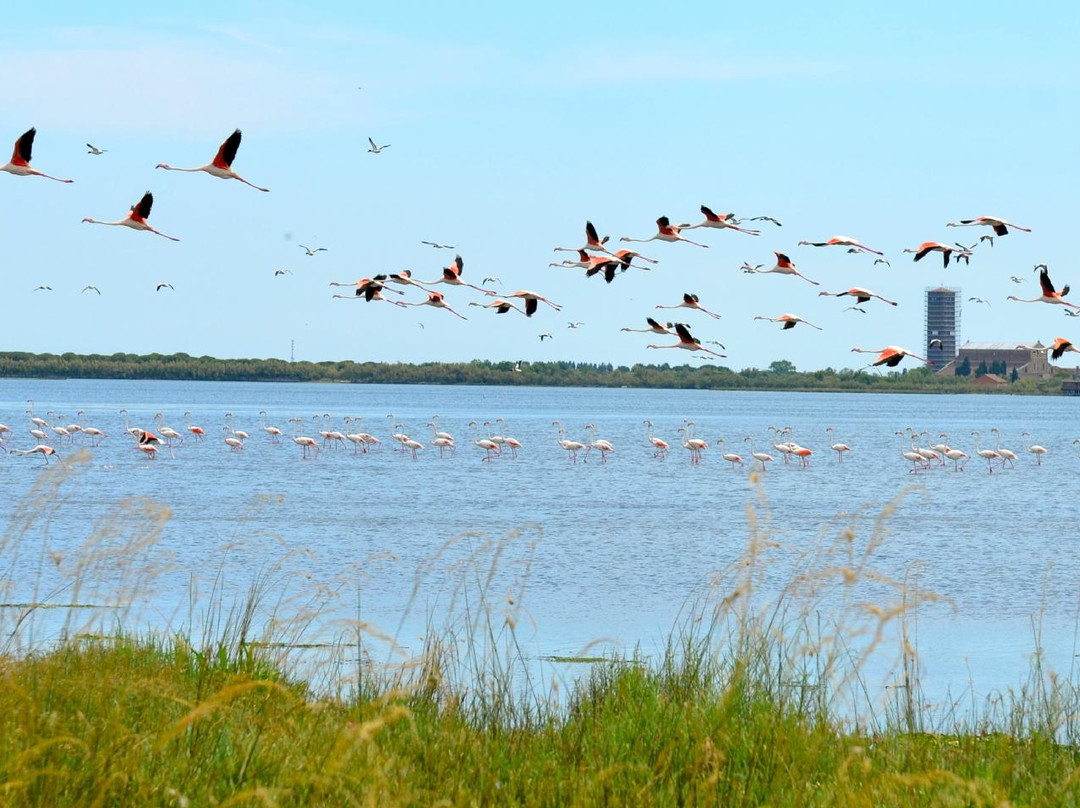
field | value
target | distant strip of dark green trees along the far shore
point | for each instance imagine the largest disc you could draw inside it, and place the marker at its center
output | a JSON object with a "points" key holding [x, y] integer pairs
{"points": [[780, 376]]}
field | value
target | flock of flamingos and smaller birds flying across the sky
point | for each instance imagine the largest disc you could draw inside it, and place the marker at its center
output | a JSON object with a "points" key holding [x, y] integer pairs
{"points": [[593, 257]]}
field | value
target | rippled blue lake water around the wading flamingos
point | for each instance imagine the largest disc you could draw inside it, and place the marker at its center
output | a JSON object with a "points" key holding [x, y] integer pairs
{"points": [[609, 553]]}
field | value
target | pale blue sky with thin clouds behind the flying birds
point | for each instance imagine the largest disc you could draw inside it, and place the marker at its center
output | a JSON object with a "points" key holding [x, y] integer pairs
{"points": [[509, 129]]}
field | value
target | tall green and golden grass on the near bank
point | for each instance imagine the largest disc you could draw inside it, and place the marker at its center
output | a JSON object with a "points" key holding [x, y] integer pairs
{"points": [[766, 693]]}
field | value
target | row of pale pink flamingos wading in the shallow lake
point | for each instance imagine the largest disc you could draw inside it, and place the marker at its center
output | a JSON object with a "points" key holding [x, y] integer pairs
{"points": [[490, 437]]}
